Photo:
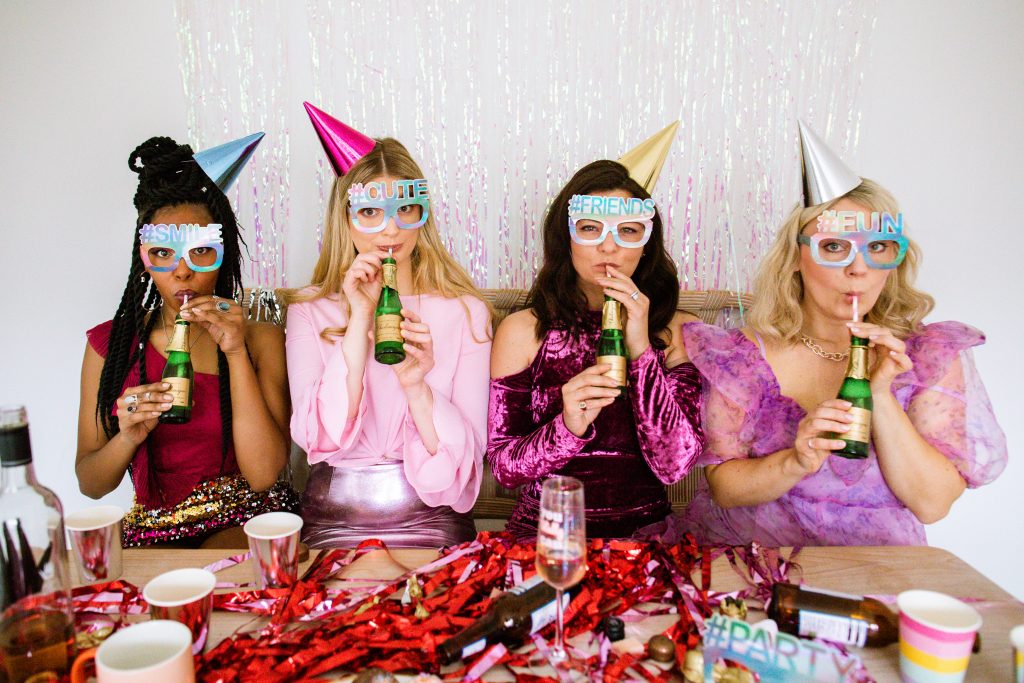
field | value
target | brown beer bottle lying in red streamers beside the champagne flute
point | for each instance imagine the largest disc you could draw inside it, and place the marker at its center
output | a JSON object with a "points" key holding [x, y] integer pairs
{"points": [[514, 617]]}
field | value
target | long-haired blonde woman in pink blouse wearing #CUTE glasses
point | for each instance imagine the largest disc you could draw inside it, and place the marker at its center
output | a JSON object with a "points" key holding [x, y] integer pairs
{"points": [[397, 451]]}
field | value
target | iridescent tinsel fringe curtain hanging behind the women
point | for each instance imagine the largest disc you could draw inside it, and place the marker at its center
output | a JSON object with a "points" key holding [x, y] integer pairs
{"points": [[502, 102]]}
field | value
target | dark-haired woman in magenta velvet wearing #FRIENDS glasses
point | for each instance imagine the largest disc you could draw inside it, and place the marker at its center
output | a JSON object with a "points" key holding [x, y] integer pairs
{"points": [[556, 411]]}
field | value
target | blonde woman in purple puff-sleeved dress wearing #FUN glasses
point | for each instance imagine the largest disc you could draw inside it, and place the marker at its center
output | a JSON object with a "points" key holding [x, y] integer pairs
{"points": [[772, 403]]}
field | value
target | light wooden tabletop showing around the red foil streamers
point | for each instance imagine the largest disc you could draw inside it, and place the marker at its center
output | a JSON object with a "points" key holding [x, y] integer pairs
{"points": [[883, 571]]}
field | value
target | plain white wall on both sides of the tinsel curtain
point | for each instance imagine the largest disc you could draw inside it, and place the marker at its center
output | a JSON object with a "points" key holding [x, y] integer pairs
{"points": [[83, 83]]}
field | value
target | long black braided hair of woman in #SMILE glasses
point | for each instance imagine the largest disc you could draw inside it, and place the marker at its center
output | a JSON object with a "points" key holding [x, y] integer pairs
{"points": [[168, 177]]}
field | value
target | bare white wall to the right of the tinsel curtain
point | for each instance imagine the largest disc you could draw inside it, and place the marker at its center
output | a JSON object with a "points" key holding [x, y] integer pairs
{"points": [[943, 130]]}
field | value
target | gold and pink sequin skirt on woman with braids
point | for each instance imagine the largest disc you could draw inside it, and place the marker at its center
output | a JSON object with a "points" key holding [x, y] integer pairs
{"points": [[215, 505]]}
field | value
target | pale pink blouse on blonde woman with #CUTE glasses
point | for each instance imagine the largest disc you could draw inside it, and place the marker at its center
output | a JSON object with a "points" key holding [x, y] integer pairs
{"points": [[383, 430]]}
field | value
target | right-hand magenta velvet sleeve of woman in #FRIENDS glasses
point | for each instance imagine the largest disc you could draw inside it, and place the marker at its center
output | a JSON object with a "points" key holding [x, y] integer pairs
{"points": [[667, 409]]}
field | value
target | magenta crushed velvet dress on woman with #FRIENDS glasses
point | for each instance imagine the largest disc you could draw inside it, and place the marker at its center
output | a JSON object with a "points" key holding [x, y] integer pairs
{"points": [[648, 440]]}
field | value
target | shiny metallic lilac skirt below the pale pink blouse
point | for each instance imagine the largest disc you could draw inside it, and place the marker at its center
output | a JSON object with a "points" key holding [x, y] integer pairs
{"points": [[344, 506]]}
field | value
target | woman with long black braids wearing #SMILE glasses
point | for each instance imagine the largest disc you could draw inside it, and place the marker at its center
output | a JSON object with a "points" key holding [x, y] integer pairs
{"points": [[195, 483]]}
